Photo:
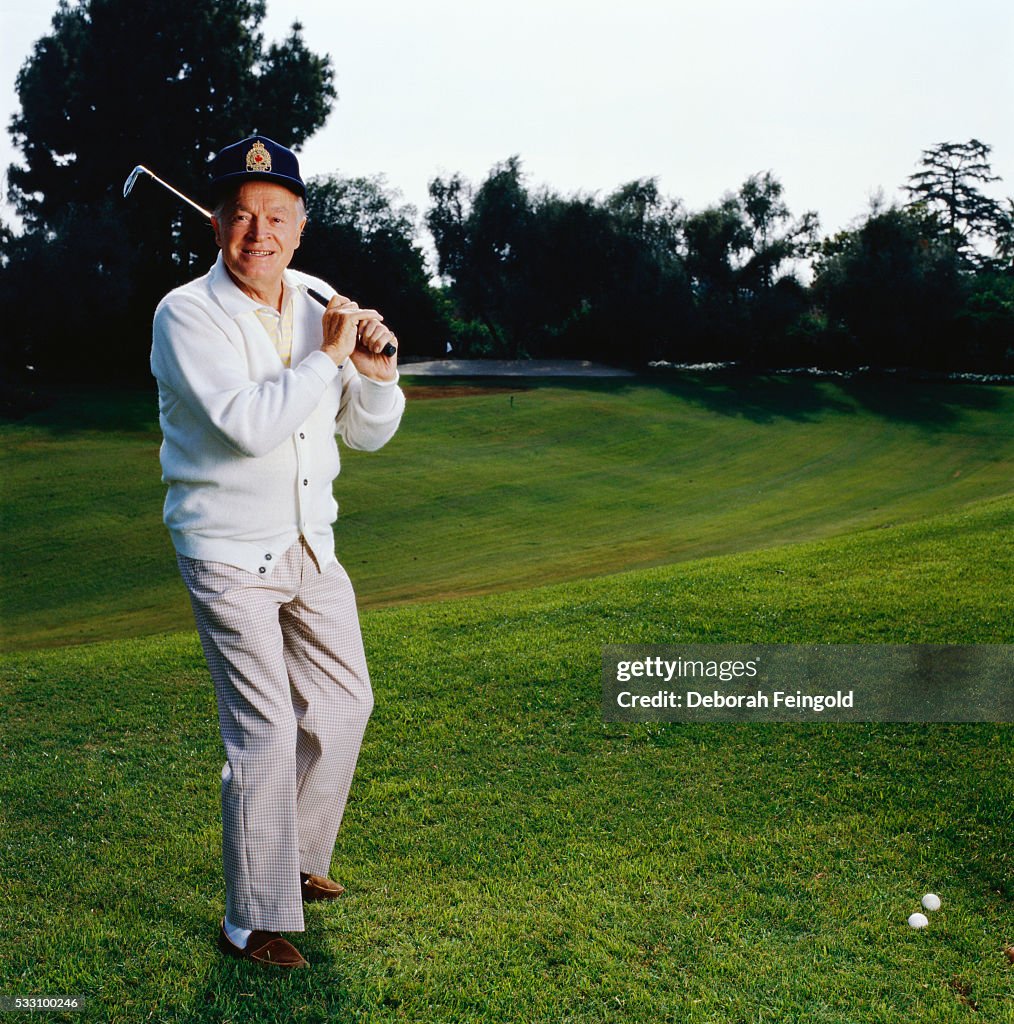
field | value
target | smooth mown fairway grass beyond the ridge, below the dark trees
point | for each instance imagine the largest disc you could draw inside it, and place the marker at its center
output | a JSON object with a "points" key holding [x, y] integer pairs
{"points": [[495, 491]]}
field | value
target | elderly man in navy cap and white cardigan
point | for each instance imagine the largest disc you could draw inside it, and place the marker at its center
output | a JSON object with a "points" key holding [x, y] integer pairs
{"points": [[256, 379]]}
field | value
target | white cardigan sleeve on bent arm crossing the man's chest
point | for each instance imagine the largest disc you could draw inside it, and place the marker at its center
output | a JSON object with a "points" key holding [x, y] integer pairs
{"points": [[193, 357]]}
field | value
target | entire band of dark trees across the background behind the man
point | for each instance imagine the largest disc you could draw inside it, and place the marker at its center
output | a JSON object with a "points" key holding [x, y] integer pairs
{"points": [[522, 272]]}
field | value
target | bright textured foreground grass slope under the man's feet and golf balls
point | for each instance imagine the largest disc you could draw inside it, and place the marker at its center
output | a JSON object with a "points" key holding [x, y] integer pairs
{"points": [[511, 858]]}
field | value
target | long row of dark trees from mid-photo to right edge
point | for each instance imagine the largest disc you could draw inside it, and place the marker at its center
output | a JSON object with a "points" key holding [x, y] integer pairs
{"points": [[635, 277]]}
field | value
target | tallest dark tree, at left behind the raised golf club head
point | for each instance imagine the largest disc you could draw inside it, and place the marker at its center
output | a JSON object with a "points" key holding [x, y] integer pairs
{"points": [[117, 83]]}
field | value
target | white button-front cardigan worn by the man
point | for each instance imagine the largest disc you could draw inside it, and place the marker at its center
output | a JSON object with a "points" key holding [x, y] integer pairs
{"points": [[249, 451]]}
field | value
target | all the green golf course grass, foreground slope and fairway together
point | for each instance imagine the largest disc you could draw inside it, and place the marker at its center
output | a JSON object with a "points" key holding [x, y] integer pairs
{"points": [[509, 857]]}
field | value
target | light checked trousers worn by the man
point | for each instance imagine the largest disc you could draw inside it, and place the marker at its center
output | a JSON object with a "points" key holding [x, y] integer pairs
{"points": [[290, 675]]}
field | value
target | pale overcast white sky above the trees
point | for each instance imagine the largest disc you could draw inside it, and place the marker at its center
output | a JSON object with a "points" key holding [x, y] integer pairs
{"points": [[837, 98]]}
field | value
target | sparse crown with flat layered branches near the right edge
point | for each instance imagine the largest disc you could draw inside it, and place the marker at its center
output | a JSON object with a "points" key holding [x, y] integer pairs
{"points": [[949, 186]]}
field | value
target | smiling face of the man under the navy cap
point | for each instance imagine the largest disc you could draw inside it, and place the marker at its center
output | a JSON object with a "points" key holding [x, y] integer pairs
{"points": [[259, 231]]}
